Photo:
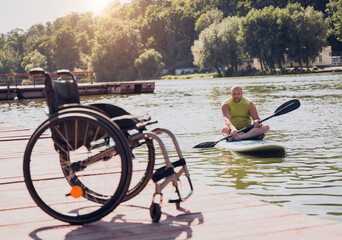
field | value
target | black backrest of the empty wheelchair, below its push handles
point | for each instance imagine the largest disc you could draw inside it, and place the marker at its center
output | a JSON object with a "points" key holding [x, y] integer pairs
{"points": [[61, 91]]}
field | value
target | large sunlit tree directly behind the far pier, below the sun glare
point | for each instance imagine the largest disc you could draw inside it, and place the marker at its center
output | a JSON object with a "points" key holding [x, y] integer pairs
{"points": [[116, 47]]}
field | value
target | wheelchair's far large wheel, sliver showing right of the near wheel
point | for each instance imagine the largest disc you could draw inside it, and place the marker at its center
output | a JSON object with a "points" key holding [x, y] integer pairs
{"points": [[143, 157]]}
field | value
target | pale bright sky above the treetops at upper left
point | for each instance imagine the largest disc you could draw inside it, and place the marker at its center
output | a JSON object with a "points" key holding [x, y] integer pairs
{"points": [[25, 13]]}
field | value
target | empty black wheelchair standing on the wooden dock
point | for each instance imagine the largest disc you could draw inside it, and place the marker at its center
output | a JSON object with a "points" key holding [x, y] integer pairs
{"points": [[84, 160]]}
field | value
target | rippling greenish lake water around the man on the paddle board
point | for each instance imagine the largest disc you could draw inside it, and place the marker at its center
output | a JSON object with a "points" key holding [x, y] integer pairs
{"points": [[308, 179]]}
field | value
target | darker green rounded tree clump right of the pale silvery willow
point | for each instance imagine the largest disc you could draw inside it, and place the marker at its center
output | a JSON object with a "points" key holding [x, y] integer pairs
{"points": [[271, 32]]}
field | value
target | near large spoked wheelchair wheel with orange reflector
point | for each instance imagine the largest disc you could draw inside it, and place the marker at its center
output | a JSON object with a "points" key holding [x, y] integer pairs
{"points": [[95, 165]]}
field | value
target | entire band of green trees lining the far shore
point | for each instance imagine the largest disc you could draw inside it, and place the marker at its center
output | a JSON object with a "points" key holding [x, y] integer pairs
{"points": [[110, 43]]}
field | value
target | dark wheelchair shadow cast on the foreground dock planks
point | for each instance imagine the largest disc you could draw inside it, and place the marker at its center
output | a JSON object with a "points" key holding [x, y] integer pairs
{"points": [[121, 227]]}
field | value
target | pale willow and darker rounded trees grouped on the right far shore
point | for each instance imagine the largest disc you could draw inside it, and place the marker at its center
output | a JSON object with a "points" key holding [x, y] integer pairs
{"points": [[267, 34]]}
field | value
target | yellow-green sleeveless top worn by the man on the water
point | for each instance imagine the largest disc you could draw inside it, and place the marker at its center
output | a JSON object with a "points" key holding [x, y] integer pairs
{"points": [[239, 113]]}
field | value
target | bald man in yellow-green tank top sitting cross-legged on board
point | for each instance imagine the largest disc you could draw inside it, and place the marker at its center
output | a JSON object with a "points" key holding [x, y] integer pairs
{"points": [[238, 113]]}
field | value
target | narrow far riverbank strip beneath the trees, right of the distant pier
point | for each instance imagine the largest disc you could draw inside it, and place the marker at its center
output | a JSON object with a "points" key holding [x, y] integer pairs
{"points": [[327, 70]]}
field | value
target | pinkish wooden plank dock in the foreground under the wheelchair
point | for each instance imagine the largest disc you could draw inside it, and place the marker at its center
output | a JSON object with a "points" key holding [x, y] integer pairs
{"points": [[211, 213]]}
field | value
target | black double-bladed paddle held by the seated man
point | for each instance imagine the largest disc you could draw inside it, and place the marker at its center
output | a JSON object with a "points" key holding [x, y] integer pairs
{"points": [[287, 107]]}
